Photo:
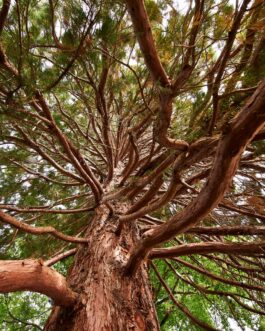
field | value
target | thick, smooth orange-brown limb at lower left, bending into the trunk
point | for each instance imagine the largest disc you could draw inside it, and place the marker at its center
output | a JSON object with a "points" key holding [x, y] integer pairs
{"points": [[32, 275]]}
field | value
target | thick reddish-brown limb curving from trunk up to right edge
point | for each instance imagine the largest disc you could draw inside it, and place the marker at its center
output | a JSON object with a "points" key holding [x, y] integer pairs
{"points": [[231, 145]]}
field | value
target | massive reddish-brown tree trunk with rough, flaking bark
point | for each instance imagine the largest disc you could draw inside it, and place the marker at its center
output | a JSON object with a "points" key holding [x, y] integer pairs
{"points": [[108, 300]]}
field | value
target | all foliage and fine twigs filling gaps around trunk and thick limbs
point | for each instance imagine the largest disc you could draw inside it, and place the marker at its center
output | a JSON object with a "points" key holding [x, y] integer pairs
{"points": [[94, 36]]}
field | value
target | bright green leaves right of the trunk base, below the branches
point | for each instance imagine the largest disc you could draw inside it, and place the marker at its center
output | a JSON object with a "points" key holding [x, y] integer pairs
{"points": [[211, 308]]}
